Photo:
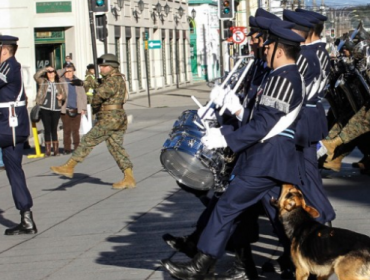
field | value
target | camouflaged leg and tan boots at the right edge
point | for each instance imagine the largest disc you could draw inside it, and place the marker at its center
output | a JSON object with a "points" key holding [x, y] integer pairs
{"points": [[357, 126]]}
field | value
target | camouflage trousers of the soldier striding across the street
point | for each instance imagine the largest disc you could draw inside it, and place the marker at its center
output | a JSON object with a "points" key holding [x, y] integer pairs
{"points": [[113, 140]]}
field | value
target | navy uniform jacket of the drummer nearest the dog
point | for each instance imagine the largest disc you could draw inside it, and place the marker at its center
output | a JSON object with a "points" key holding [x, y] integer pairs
{"points": [[279, 94]]}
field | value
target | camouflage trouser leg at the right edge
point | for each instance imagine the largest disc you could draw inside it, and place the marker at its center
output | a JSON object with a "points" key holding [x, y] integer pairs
{"points": [[359, 124]]}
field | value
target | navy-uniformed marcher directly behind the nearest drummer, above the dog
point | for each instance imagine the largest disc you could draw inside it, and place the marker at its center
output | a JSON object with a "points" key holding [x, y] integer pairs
{"points": [[312, 120]]}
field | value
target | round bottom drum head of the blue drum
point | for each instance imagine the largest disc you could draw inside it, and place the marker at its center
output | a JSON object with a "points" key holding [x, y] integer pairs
{"points": [[187, 169]]}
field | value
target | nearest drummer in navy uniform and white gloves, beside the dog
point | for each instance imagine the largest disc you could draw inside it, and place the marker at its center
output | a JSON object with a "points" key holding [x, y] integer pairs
{"points": [[267, 154]]}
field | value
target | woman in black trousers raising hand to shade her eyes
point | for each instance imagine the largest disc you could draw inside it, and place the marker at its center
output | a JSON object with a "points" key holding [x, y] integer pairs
{"points": [[50, 98]]}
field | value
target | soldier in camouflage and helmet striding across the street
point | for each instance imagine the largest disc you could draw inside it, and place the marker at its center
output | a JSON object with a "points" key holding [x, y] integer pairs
{"points": [[110, 126]]}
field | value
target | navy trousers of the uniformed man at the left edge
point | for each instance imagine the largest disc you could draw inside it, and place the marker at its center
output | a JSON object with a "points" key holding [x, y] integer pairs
{"points": [[12, 157]]}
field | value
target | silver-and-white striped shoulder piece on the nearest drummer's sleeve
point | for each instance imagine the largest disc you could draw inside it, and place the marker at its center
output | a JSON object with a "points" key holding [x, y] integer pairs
{"points": [[278, 94]]}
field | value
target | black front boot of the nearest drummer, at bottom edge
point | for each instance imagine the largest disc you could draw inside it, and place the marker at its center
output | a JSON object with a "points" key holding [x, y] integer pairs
{"points": [[197, 268]]}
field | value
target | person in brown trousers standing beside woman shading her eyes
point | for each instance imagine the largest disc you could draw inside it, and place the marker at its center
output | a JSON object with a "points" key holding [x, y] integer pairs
{"points": [[72, 109]]}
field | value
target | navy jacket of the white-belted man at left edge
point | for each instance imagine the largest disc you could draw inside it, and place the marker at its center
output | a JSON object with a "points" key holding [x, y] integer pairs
{"points": [[10, 86]]}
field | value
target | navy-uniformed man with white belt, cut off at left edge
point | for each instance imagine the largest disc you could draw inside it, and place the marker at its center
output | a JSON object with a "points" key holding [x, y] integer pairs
{"points": [[14, 131]]}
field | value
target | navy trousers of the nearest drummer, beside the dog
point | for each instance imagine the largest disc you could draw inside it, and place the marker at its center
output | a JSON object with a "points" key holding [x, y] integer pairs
{"points": [[241, 193]]}
